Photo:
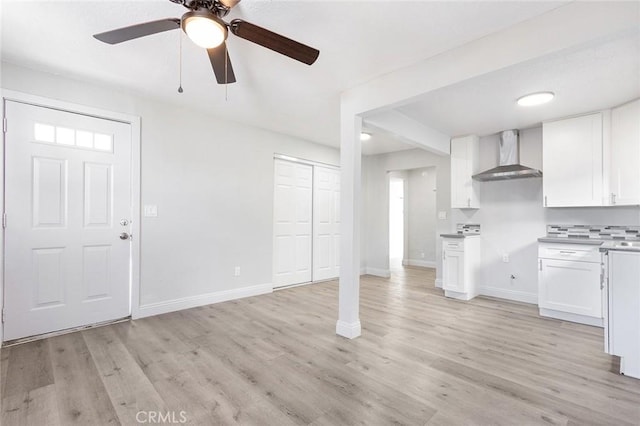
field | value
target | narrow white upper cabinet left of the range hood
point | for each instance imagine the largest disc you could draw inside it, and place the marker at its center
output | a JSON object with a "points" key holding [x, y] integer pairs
{"points": [[464, 164]]}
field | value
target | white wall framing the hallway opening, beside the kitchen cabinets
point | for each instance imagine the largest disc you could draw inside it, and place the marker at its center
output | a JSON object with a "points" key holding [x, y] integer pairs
{"points": [[375, 217]]}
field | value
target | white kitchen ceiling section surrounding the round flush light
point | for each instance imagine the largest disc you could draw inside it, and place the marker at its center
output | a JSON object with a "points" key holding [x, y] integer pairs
{"points": [[603, 74]]}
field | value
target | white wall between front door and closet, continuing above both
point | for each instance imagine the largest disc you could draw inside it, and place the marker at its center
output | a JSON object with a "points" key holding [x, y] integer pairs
{"points": [[212, 181]]}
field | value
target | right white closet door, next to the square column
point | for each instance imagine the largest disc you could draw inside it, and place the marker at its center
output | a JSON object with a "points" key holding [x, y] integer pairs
{"points": [[326, 223]]}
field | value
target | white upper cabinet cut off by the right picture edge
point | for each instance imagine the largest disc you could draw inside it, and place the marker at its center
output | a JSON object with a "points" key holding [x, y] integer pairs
{"points": [[625, 155]]}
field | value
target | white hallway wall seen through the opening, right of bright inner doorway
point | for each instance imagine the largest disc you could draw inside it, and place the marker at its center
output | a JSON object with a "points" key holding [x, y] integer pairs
{"points": [[421, 217]]}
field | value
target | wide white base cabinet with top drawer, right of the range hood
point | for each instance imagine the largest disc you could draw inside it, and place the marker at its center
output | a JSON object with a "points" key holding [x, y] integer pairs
{"points": [[569, 283]]}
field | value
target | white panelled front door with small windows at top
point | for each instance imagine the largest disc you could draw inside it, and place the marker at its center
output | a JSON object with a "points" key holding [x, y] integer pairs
{"points": [[68, 203]]}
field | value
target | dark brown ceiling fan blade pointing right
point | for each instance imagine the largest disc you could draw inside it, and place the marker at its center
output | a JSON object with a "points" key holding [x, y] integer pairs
{"points": [[273, 41]]}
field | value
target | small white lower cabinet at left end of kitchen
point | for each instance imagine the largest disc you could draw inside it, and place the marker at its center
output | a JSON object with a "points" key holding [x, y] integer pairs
{"points": [[460, 267]]}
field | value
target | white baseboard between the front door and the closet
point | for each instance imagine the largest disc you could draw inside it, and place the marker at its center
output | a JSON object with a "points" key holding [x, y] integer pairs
{"points": [[201, 300]]}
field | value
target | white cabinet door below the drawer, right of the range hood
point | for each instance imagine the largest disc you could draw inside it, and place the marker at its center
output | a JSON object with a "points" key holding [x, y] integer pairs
{"points": [[572, 287]]}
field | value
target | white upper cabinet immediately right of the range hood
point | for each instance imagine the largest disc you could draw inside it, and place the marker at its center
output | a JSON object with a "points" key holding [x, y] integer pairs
{"points": [[572, 162]]}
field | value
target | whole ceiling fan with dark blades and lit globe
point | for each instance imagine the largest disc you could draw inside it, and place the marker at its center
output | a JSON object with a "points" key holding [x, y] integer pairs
{"points": [[204, 25]]}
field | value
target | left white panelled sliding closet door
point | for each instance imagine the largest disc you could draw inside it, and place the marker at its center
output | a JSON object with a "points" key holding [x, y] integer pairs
{"points": [[292, 217]]}
